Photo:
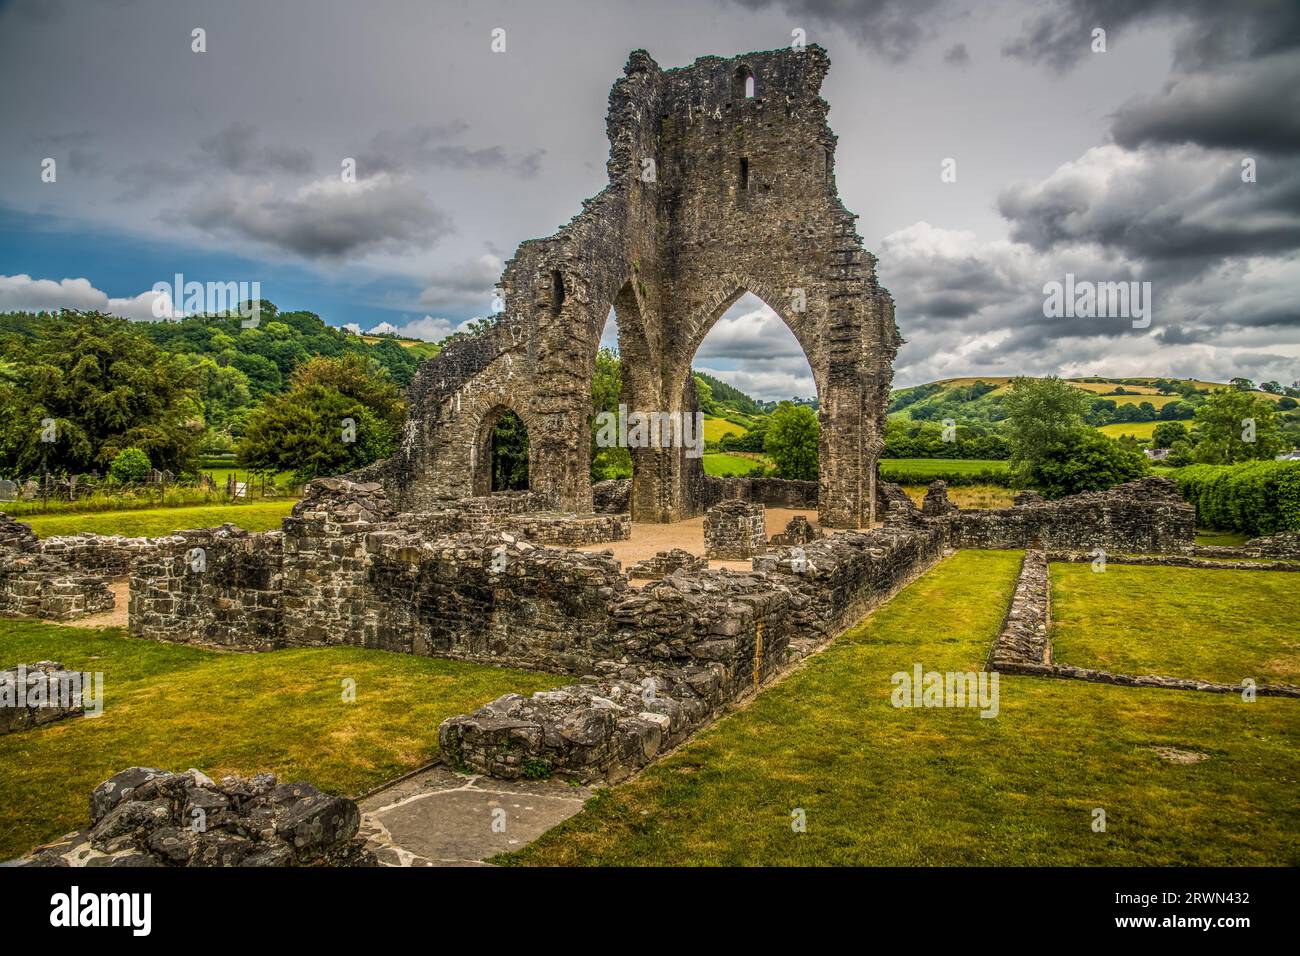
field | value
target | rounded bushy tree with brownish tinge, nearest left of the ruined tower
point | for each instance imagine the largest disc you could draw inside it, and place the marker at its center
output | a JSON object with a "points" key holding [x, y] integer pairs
{"points": [[339, 416]]}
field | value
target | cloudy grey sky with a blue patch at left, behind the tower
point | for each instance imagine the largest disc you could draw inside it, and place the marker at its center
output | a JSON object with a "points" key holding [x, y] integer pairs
{"points": [[1125, 165]]}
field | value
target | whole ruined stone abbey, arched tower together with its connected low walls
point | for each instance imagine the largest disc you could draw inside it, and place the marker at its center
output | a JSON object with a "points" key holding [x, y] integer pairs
{"points": [[722, 180]]}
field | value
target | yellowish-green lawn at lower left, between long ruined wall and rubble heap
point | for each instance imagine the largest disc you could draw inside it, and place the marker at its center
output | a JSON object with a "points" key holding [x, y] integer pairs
{"points": [[174, 707]]}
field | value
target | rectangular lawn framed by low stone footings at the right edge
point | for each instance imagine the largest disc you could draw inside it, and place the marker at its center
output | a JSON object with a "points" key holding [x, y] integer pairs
{"points": [[1181, 622]]}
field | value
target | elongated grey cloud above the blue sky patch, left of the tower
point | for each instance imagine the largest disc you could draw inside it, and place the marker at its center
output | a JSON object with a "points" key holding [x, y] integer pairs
{"points": [[327, 220]]}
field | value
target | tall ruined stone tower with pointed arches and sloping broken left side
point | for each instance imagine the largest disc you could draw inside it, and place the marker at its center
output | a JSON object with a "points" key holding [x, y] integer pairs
{"points": [[722, 181]]}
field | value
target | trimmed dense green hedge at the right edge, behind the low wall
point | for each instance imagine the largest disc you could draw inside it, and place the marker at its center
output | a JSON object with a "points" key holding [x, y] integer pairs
{"points": [[1255, 498]]}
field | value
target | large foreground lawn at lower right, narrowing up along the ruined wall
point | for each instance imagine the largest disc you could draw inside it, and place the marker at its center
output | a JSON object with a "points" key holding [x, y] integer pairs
{"points": [[935, 786]]}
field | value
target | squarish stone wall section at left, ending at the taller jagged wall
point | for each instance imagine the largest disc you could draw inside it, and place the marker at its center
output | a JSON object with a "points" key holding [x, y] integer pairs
{"points": [[218, 587]]}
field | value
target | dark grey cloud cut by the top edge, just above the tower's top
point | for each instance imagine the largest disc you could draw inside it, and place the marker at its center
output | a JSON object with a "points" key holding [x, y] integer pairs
{"points": [[890, 28]]}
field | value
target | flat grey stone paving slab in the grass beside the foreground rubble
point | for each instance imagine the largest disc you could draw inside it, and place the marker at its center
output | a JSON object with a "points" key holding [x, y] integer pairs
{"points": [[444, 819]]}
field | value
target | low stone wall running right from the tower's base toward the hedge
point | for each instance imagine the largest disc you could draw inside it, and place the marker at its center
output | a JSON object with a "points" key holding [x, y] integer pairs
{"points": [[1139, 517]]}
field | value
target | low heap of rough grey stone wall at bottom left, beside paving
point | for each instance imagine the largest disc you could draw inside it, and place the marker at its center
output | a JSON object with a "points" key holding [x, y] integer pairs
{"points": [[146, 817]]}
